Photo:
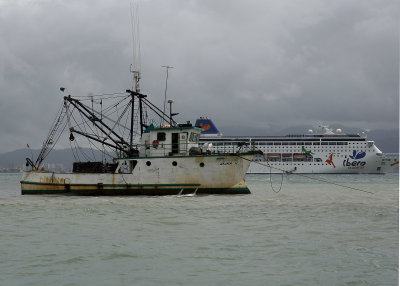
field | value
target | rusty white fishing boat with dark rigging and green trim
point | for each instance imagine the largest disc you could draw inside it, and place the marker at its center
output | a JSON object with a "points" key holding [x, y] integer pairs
{"points": [[167, 160]]}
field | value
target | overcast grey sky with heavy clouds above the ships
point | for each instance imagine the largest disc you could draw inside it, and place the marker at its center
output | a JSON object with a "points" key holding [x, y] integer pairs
{"points": [[259, 65]]}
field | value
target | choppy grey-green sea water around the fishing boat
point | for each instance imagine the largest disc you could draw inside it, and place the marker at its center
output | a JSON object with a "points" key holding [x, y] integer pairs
{"points": [[308, 233]]}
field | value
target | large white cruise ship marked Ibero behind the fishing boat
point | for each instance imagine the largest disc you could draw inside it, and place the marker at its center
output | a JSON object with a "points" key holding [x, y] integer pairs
{"points": [[326, 152]]}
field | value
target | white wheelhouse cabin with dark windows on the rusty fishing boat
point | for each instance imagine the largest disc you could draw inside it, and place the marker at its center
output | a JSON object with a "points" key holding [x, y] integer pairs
{"points": [[169, 141]]}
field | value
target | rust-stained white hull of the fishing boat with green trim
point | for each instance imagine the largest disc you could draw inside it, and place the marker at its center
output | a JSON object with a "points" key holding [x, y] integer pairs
{"points": [[220, 174]]}
